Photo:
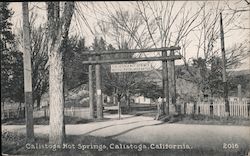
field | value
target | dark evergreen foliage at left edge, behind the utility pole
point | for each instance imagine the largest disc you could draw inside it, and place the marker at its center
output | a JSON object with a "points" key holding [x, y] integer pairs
{"points": [[11, 59]]}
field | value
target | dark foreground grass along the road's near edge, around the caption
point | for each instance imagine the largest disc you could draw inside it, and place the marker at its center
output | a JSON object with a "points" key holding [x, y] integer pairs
{"points": [[15, 144]]}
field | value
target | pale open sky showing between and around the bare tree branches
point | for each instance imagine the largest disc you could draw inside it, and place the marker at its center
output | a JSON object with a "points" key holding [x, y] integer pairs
{"points": [[87, 14]]}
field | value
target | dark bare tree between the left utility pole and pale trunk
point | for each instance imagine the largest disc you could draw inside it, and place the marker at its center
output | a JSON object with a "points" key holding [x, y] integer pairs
{"points": [[39, 59]]}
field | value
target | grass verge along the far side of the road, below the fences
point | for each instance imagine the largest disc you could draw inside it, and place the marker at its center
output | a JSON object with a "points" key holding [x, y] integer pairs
{"points": [[183, 119]]}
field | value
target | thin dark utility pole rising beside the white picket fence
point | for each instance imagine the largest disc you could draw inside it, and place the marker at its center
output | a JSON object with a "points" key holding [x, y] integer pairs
{"points": [[224, 68]]}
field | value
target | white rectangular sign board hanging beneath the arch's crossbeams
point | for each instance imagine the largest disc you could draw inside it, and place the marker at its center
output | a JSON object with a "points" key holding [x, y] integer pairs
{"points": [[116, 68]]}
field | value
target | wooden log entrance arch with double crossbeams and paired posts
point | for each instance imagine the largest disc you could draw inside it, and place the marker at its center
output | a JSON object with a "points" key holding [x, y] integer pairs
{"points": [[94, 59]]}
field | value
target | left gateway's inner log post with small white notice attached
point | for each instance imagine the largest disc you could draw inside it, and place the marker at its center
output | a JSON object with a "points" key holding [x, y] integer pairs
{"points": [[98, 90]]}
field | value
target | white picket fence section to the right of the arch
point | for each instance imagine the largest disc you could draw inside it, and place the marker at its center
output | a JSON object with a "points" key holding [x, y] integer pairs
{"points": [[238, 108]]}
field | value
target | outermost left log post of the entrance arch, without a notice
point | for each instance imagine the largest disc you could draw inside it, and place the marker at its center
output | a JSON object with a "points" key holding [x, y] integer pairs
{"points": [[91, 92]]}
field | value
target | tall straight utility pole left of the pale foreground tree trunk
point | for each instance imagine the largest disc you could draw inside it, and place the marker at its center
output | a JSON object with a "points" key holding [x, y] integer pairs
{"points": [[27, 74]]}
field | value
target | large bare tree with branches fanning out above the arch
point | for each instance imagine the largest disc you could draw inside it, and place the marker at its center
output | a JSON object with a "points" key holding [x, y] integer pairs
{"points": [[152, 24]]}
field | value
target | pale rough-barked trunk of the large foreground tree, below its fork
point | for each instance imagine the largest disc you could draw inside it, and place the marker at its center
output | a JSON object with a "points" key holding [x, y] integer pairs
{"points": [[56, 98]]}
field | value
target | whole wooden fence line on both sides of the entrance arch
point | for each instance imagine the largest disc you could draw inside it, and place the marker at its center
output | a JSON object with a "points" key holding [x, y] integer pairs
{"points": [[238, 108]]}
